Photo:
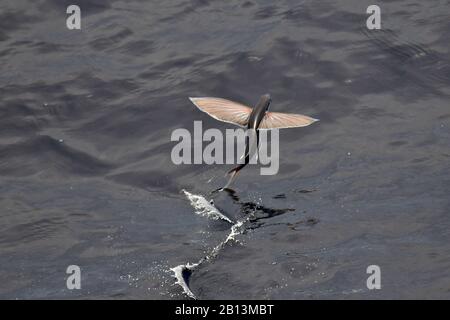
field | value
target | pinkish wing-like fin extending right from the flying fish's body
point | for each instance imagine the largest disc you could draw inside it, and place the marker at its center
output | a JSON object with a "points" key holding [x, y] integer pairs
{"points": [[278, 120]]}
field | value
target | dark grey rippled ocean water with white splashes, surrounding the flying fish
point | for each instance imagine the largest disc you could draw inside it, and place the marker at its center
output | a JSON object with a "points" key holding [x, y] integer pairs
{"points": [[86, 176]]}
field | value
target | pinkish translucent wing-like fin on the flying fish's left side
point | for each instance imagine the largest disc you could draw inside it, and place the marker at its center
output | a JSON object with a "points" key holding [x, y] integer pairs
{"points": [[224, 110]]}
